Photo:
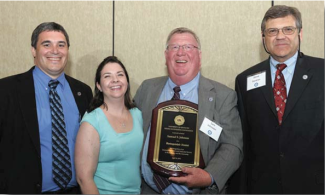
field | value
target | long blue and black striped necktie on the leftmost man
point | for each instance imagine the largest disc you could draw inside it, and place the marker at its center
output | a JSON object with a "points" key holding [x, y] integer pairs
{"points": [[60, 150]]}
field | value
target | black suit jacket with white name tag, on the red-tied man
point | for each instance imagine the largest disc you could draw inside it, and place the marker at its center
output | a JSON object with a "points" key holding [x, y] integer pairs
{"points": [[288, 158]]}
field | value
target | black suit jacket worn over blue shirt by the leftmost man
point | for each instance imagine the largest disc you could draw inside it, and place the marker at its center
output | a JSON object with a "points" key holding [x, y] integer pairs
{"points": [[20, 156]]}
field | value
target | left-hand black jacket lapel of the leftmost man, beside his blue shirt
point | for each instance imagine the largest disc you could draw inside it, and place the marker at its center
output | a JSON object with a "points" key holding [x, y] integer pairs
{"points": [[27, 103]]}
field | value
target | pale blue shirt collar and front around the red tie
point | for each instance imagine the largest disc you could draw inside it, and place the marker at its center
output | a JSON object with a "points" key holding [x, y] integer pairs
{"points": [[287, 72]]}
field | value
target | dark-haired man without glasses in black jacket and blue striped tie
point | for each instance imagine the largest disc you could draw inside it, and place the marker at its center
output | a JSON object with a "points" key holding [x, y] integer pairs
{"points": [[28, 163]]}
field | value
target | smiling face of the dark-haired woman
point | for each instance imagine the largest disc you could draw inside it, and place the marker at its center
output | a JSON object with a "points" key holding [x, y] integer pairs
{"points": [[113, 81]]}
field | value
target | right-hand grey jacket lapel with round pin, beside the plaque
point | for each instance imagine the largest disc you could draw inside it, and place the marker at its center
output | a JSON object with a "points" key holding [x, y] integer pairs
{"points": [[207, 98]]}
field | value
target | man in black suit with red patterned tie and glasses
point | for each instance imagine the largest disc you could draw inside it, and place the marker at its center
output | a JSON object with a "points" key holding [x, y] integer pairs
{"points": [[282, 112]]}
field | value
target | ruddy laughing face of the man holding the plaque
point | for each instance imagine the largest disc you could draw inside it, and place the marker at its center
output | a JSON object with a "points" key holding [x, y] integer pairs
{"points": [[182, 65]]}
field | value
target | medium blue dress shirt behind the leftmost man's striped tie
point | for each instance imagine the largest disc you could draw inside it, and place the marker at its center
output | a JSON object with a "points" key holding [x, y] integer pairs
{"points": [[71, 118]]}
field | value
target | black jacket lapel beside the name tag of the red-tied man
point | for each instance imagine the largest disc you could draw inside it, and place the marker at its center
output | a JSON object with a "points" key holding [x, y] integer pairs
{"points": [[268, 89]]}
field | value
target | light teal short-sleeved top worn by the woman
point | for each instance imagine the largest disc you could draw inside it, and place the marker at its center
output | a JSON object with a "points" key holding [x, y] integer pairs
{"points": [[118, 169]]}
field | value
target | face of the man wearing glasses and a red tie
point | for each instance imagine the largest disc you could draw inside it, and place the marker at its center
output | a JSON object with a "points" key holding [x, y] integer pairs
{"points": [[282, 47]]}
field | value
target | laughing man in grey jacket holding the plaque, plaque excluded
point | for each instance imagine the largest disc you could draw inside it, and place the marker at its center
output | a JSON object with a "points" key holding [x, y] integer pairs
{"points": [[216, 104]]}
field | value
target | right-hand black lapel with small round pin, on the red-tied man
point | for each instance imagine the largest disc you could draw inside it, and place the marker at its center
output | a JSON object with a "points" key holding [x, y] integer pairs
{"points": [[298, 85]]}
